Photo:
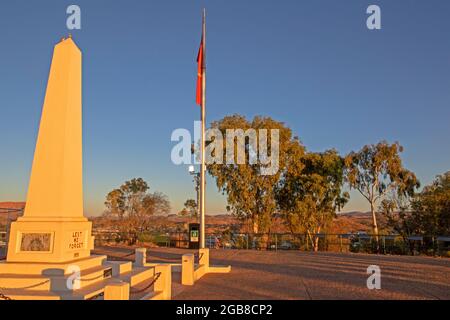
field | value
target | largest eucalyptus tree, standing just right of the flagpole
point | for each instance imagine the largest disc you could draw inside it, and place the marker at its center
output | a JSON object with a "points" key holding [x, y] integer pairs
{"points": [[250, 192]]}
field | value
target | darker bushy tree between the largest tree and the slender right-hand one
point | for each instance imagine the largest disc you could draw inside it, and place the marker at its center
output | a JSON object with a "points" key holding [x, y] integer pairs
{"points": [[310, 191]]}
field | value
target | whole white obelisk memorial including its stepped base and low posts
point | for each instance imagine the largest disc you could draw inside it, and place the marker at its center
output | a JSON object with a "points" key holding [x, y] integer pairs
{"points": [[49, 247]]}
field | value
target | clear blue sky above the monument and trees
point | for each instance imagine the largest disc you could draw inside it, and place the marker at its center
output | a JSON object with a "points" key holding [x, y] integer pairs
{"points": [[311, 64]]}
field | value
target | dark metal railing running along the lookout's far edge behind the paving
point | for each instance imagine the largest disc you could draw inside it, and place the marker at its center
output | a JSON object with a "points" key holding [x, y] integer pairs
{"points": [[344, 242]]}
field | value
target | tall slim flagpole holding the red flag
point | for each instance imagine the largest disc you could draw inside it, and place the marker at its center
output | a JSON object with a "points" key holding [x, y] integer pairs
{"points": [[203, 118]]}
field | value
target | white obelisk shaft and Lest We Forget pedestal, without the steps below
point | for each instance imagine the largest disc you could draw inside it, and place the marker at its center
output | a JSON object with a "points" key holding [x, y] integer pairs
{"points": [[53, 228]]}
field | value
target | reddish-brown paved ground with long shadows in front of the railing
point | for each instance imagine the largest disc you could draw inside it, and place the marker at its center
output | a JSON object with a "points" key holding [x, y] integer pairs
{"points": [[303, 275]]}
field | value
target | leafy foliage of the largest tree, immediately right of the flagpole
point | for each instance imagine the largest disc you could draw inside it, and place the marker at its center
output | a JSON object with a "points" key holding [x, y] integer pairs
{"points": [[250, 194]]}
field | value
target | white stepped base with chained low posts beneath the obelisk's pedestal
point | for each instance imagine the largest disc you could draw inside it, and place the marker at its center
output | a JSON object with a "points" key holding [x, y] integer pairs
{"points": [[84, 279]]}
